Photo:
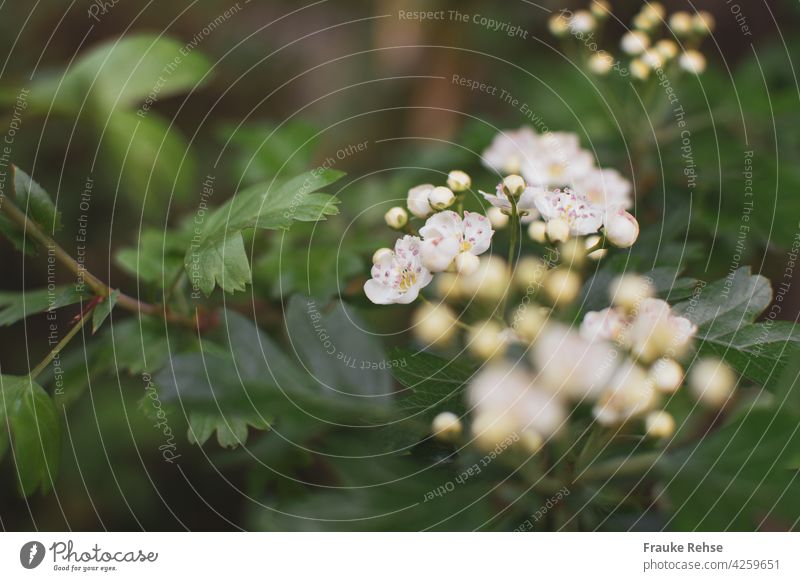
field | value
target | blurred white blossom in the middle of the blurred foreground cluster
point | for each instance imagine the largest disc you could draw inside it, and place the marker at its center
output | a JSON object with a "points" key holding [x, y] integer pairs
{"points": [[570, 365]]}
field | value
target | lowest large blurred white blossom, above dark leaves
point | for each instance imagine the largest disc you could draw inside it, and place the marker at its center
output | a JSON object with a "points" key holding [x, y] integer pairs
{"points": [[507, 397]]}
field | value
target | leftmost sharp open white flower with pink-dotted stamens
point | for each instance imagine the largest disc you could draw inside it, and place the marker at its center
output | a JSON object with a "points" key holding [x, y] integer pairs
{"points": [[397, 277]]}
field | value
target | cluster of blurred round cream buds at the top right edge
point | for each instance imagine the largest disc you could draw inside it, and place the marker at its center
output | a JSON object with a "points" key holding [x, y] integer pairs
{"points": [[641, 43]]}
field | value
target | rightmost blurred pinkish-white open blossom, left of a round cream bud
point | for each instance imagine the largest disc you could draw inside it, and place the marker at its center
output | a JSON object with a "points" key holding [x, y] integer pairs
{"points": [[656, 332]]}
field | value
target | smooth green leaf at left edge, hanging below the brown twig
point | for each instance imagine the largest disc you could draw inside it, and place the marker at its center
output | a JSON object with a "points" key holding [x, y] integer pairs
{"points": [[30, 420]]}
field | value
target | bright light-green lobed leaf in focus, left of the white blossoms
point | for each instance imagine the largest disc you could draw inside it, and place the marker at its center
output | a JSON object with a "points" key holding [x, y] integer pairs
{"points": [[217, 255]]}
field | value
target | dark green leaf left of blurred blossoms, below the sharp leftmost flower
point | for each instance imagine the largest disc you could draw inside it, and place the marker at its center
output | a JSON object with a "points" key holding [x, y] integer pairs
{"points": [[433, 384]]}
